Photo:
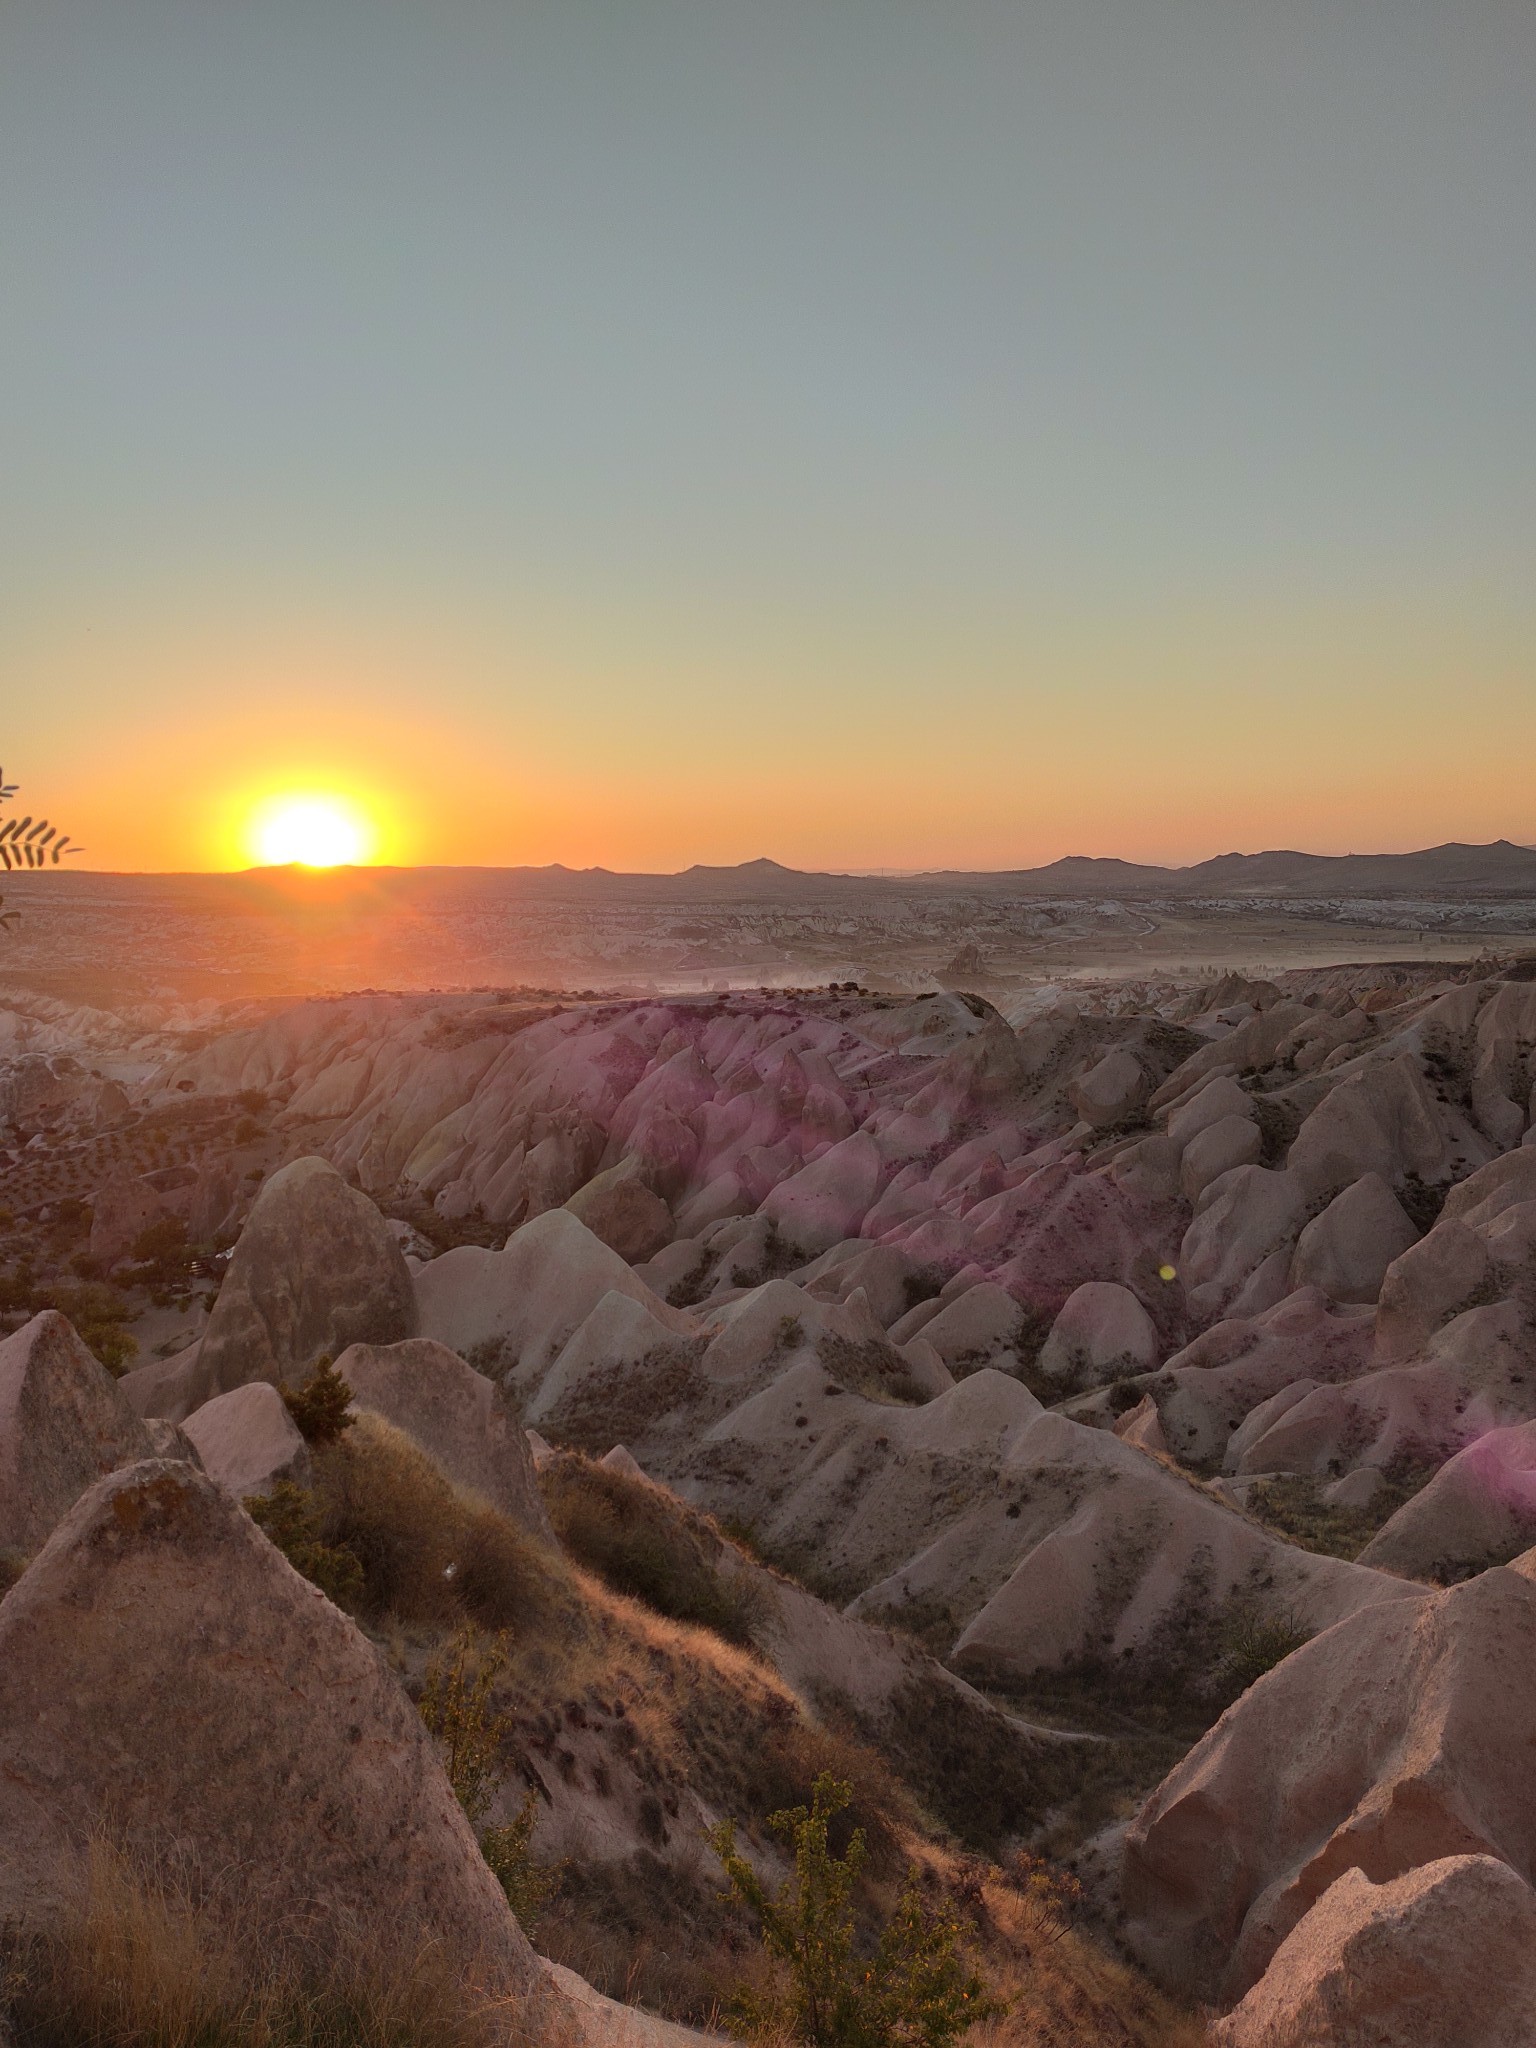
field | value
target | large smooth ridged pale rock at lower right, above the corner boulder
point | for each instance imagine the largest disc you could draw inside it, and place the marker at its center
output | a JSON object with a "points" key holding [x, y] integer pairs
{"points": [[1398, 1738]]}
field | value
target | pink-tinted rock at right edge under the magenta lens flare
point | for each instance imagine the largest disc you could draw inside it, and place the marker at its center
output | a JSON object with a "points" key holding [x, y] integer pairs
{"points": [[1478, 1510]]}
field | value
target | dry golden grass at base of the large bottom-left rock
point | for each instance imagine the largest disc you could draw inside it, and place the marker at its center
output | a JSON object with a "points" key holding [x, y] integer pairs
{"points": [[136, 1961]]}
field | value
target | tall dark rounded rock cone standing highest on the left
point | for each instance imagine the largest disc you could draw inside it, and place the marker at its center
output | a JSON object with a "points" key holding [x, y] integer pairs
{"points": [[314, 1271]]}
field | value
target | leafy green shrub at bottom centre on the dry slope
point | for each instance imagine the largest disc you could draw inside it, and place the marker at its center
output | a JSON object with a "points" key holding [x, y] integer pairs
{"points": [[914, 1992]]}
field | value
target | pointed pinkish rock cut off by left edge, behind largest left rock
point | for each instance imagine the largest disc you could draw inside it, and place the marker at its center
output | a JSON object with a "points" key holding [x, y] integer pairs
{"points": [[62, 1424]]}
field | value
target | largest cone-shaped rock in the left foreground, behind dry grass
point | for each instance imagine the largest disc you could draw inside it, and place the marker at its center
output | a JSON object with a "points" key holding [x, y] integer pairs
{"points": [[165, 1670]]}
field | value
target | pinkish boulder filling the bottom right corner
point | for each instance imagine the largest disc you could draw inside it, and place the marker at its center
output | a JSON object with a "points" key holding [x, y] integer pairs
{"points": [[1443, 1957]]}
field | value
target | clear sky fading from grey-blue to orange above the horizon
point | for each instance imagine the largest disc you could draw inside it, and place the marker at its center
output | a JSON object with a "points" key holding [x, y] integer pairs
{"points": [[857, 431]]}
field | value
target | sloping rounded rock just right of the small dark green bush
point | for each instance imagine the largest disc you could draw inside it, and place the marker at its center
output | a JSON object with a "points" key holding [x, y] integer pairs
{"points": [[456, 1414]]}
